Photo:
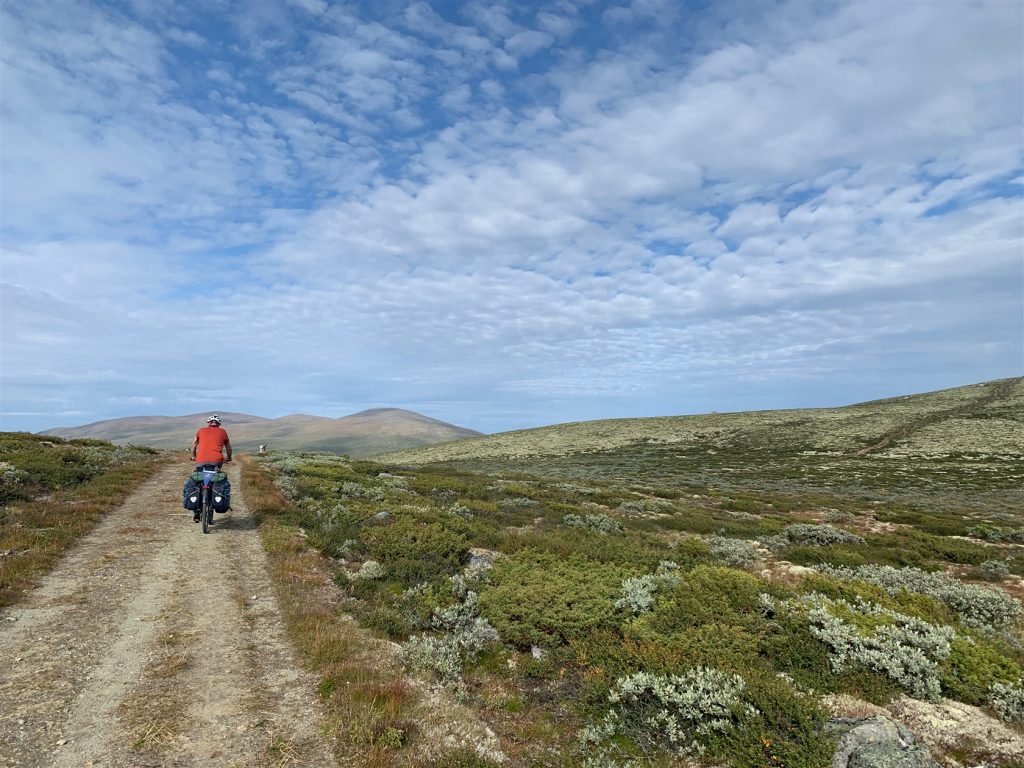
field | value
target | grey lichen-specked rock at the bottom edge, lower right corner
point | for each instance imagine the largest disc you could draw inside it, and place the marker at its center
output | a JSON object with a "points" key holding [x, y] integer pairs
{"points": [[877, 743]]}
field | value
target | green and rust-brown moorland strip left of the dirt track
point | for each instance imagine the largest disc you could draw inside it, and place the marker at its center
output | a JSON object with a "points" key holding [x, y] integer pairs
{"points": [[54, 491]]}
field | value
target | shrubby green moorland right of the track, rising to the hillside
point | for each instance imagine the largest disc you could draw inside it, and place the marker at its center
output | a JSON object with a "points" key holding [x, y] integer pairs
{"points": [[679, 591]]}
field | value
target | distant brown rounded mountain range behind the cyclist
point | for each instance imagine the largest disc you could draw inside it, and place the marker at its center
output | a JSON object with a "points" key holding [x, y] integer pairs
{"points": [[360, 435]]}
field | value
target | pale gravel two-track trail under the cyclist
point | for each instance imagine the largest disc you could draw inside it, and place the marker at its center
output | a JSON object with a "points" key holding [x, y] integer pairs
{"points": [[152, 645]]}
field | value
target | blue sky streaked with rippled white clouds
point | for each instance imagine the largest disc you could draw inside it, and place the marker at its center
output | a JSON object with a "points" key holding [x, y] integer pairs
{"points": [[506, 215]]}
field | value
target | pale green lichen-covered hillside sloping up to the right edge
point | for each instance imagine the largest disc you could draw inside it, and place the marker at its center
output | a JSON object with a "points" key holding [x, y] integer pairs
{"points": [[972, 437]]}
